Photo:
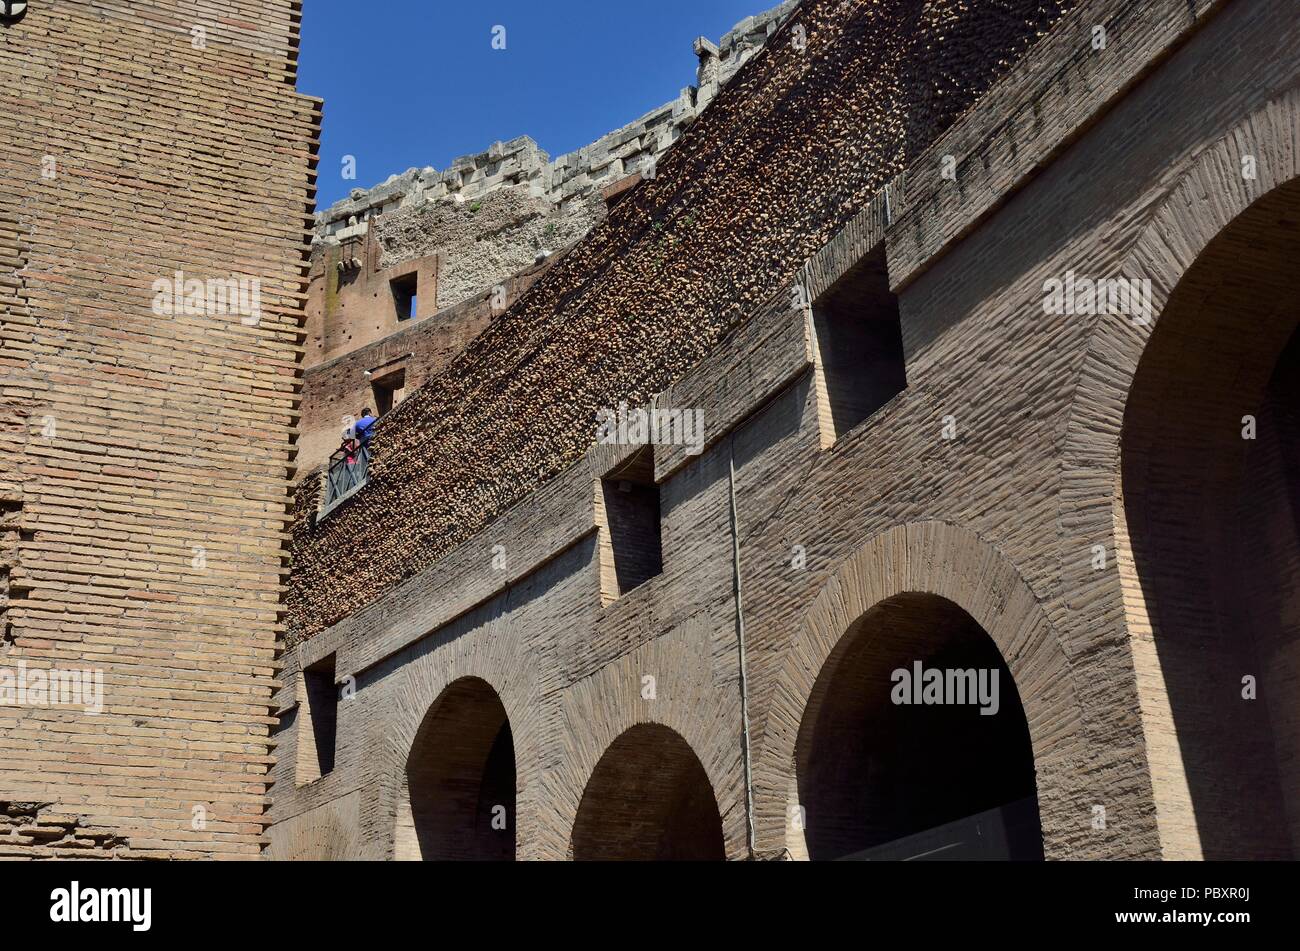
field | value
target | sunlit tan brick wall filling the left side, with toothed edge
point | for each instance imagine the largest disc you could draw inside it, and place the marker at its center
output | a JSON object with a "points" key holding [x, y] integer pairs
{"points": [[145, 455]]}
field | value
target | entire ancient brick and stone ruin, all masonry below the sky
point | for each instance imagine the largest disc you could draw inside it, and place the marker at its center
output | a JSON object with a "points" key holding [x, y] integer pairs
{"points": [[947, 550]]}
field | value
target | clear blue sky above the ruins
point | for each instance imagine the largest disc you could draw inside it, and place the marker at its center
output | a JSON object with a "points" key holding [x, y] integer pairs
{"points": [[417, 82]]}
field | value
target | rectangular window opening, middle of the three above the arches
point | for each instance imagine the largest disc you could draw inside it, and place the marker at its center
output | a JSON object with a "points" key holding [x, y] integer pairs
{"points": [[631, 549]]}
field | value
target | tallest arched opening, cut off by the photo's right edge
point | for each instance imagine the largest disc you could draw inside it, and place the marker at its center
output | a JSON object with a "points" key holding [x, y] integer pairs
{"points": [[1211, 505]]}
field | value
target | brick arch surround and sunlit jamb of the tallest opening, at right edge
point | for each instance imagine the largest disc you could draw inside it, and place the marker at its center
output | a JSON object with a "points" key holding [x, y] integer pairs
{"points": [[1208, 199]]}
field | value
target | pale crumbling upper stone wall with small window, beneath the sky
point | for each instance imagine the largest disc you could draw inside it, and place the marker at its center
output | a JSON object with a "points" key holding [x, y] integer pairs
{"points": [[491, 216]]}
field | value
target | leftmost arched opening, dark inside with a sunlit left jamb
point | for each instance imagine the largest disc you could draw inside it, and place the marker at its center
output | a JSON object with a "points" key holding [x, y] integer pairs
{"points": [[458, 797]]}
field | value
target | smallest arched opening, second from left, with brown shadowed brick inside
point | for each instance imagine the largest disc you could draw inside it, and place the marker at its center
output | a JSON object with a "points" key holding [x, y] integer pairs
{"points": [[649, 800]]}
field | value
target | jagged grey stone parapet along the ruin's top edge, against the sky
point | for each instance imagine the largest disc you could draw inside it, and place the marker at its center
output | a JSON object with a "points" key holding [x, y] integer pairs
{"points": [[571, 179]]}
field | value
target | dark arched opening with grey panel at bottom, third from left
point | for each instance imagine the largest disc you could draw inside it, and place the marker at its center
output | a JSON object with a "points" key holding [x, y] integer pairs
{"points": [[915, 744]]}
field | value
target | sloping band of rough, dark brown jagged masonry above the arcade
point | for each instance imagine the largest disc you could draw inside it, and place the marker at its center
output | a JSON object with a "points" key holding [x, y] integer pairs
{"points": [[788, 153]]}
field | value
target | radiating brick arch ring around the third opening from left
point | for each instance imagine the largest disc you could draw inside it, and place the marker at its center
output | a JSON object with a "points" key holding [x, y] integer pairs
{"points": [[924, 562]]}
